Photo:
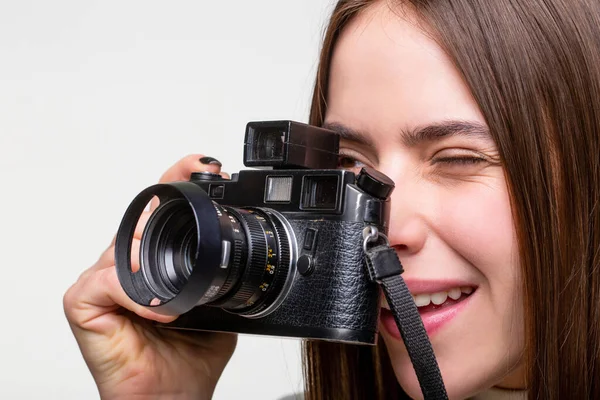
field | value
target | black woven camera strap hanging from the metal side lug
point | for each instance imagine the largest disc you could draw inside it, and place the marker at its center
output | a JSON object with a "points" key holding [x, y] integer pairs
{"points": [[385, 268]]}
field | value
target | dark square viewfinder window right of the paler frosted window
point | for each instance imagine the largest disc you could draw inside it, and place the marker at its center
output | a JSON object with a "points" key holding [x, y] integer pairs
{"points": [[319, 192]]}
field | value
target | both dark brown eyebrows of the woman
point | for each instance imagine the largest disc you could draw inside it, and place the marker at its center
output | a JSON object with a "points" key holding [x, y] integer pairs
{"points": [[417, 136]]}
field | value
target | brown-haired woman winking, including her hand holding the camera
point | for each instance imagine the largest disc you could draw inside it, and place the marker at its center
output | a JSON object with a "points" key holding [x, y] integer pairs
{"points": [[486, 114]]}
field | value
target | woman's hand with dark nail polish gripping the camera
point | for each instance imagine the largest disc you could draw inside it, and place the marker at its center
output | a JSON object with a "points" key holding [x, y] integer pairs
{"points": [[130, 357]]}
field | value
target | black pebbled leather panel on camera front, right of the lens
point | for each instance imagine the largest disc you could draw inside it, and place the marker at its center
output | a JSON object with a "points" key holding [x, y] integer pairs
{"points": [[338, 293]]}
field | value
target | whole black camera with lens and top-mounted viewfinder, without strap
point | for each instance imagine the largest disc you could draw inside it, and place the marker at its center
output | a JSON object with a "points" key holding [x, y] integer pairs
{"points": [[275, 251]]}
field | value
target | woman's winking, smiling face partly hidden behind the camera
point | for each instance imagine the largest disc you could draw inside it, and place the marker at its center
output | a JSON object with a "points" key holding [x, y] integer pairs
{"points": [[403, 108]]}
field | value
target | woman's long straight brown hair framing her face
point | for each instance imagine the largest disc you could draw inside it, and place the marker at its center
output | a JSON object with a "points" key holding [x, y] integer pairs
{"points": [[533, 66]]}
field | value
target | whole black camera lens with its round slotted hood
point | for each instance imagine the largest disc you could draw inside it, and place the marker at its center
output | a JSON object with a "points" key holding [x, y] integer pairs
{"points": [[196, 252]]}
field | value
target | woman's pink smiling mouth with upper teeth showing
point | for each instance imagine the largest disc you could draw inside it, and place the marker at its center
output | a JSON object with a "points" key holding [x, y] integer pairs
{"points": [[438, 303]]}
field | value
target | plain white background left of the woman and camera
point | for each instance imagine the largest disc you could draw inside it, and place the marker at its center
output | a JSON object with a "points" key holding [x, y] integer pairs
{"points": [[97, 99]]}
